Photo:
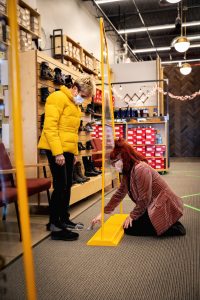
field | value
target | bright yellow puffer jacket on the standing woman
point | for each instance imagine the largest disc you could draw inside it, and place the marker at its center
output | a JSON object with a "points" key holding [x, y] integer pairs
{"points": [[62, 121]]}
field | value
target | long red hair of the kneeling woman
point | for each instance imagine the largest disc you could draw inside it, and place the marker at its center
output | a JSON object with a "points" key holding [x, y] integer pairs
{"points": [[128, 154]]}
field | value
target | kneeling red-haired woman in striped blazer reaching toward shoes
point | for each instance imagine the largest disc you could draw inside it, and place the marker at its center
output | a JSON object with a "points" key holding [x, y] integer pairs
{"points": [[157, 208]]}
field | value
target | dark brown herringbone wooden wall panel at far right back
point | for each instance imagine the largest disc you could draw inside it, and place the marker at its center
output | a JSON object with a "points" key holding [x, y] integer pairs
{"points": [[184, 116]]}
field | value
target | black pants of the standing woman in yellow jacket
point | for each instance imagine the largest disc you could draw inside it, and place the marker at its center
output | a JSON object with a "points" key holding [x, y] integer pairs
{"points": [[62, 182]]}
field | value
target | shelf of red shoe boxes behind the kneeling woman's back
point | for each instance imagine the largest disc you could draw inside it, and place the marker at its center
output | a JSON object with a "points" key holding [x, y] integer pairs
{"points": [[150, 139]]}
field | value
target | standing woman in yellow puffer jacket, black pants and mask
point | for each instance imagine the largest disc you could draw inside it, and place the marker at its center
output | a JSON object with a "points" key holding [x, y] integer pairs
{"points": [[60, 140]]}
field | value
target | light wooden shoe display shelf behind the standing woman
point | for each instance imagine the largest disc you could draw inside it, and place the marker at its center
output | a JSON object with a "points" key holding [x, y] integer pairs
{"points": [[33, 108]]}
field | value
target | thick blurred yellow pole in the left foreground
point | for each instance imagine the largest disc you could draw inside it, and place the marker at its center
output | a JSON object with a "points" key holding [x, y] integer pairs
{"points": [[18, 150]]}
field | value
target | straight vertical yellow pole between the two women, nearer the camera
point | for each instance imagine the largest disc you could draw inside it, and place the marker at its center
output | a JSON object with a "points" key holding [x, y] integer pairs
{"points": [[103, 125]]}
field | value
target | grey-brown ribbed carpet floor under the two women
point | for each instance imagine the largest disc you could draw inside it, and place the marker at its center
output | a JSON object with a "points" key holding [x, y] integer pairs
{"points": [[140, 268]]}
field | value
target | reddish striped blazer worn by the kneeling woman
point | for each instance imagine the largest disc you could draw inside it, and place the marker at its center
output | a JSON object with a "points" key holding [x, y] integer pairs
{"points": [[150, 192]]}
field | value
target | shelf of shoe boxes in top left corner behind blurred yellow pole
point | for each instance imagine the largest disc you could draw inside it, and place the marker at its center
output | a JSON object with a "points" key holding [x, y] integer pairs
{"points": [[29, 25]]}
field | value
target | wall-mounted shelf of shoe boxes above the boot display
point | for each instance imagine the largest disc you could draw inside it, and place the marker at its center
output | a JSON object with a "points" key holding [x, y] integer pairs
{"points": [[75, 56]]}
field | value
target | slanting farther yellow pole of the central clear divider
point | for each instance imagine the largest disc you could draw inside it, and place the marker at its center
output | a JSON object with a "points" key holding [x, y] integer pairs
{"points": [[111, 103]]}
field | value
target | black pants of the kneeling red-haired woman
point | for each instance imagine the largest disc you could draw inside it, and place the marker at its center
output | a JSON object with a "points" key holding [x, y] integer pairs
{"points": [[144, 227]]}
